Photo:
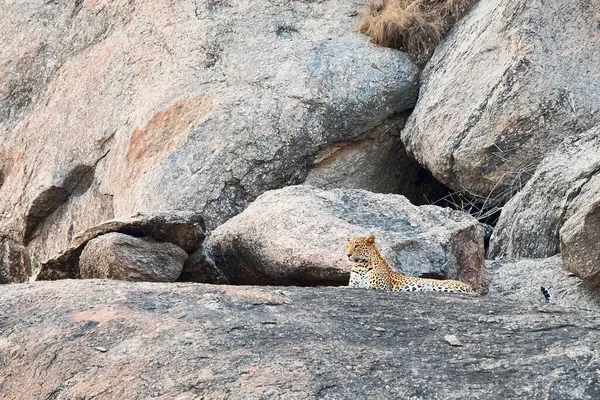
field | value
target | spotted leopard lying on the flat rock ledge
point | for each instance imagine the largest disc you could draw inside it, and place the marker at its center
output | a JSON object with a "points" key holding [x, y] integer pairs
{"points": [[371, 271]]}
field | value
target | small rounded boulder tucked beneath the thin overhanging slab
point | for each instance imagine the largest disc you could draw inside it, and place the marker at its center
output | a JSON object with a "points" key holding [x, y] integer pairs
{"points": [[127, 258]]}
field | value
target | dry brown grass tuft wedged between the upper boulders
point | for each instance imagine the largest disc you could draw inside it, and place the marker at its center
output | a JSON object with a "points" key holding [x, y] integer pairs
{"points": [[413, 26]]}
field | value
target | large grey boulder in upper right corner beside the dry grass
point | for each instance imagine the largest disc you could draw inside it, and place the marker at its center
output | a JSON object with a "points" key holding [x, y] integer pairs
{"points": [[505, 88]]}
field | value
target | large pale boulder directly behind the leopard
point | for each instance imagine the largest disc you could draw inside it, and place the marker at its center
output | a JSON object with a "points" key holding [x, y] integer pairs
{"points": [[298, 234]]}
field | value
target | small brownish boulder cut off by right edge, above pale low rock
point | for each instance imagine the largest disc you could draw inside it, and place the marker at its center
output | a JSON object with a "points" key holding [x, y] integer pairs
{"points": [[580, 242]]}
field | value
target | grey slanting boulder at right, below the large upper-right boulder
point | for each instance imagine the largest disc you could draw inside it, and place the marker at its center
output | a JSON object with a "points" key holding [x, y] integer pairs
{"points": [[566, 182]]}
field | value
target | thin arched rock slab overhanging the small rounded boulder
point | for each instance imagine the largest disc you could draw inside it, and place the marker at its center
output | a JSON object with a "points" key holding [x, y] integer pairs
{"points": [[182, 229]]}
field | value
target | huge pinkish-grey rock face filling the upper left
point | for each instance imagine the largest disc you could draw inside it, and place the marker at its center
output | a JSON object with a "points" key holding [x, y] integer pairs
{"points": [[177, 106]]}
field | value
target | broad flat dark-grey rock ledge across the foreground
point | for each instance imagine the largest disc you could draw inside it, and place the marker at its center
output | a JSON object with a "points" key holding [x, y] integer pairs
{"points": [[84, 339]]}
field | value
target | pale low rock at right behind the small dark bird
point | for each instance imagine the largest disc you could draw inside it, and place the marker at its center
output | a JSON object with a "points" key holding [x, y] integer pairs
{"points": [[521, 280]]}
